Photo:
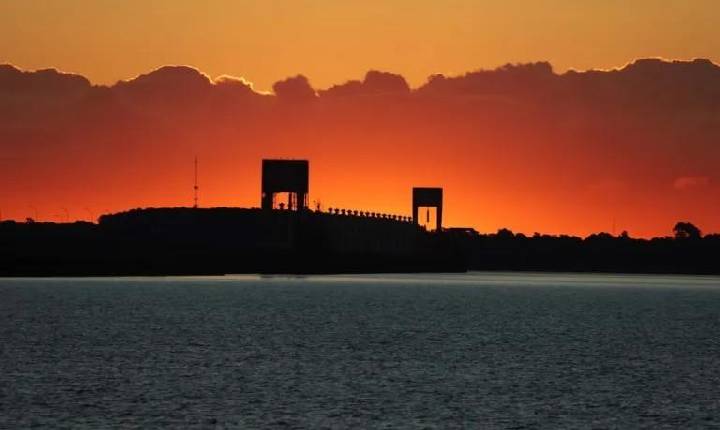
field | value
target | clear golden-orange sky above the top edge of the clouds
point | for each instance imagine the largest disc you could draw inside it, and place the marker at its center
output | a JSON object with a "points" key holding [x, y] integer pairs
{"points": [[330, 41]]}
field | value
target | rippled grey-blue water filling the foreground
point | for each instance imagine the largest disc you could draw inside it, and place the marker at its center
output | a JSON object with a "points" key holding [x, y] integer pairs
{"points": [[474, 350]]}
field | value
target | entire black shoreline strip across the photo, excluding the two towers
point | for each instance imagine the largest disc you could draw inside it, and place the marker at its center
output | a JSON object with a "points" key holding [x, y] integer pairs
{"points": [[230, 240]]}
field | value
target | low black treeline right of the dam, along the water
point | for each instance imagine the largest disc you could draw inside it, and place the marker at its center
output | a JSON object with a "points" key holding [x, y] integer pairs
{"points": [[686, 252]]}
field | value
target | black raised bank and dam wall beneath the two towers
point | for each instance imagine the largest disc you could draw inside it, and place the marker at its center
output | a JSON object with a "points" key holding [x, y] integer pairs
{"points": [[168, 241]]}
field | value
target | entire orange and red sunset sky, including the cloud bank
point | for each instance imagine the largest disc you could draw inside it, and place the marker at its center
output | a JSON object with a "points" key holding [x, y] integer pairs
{"points": [[631, 146]]}
